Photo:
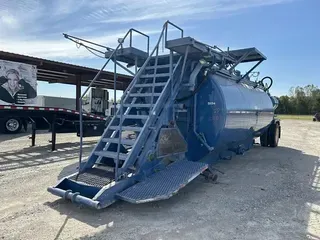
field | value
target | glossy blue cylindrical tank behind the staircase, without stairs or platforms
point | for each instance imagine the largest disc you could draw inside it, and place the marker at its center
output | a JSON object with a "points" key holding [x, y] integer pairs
{"points": [[225, 116]]}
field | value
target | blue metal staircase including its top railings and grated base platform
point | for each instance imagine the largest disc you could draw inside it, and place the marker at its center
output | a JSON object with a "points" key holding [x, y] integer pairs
{"points": [[146, 110]]}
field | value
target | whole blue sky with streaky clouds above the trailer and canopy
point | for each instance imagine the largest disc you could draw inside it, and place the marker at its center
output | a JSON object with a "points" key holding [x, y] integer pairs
{"points": [[286, 31]]}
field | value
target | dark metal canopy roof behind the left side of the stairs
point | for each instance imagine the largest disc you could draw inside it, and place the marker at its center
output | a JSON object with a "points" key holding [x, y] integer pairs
{"points": [[65, 73]]}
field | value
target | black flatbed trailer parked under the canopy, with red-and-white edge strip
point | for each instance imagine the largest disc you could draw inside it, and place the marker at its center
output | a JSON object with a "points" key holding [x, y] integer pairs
{"points": [[56, 120]]}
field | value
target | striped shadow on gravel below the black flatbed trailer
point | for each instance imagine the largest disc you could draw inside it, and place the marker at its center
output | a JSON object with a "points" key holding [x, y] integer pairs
{"points": [[40, 155]]}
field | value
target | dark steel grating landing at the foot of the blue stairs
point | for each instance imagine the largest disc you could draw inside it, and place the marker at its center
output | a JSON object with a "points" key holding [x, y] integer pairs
{"points": [[95, 177]]}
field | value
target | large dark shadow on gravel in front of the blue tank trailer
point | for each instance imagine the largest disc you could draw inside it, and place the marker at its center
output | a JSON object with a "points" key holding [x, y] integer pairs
{"points": [[278, 188]]}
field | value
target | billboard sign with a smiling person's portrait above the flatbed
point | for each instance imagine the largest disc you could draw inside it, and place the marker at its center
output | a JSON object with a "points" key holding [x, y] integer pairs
{"points": [[18, 83]]}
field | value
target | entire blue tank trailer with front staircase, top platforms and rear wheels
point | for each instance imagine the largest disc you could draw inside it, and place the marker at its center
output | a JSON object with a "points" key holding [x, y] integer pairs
{"points": [[187, 109]]}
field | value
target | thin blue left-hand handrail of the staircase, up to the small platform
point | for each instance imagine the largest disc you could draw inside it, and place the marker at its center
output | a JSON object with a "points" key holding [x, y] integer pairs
{"points": [[113, 54]]}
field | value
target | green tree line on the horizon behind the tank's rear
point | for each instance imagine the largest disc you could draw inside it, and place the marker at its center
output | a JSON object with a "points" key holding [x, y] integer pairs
{"points": [[300, 101]]}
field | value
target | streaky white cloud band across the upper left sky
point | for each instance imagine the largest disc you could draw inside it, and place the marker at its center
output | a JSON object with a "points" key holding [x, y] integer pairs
{"points": [[34, 27]]}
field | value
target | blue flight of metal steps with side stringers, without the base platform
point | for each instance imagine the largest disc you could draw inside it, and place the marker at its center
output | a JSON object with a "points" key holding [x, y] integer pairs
{"points": [[140, 107]]}
